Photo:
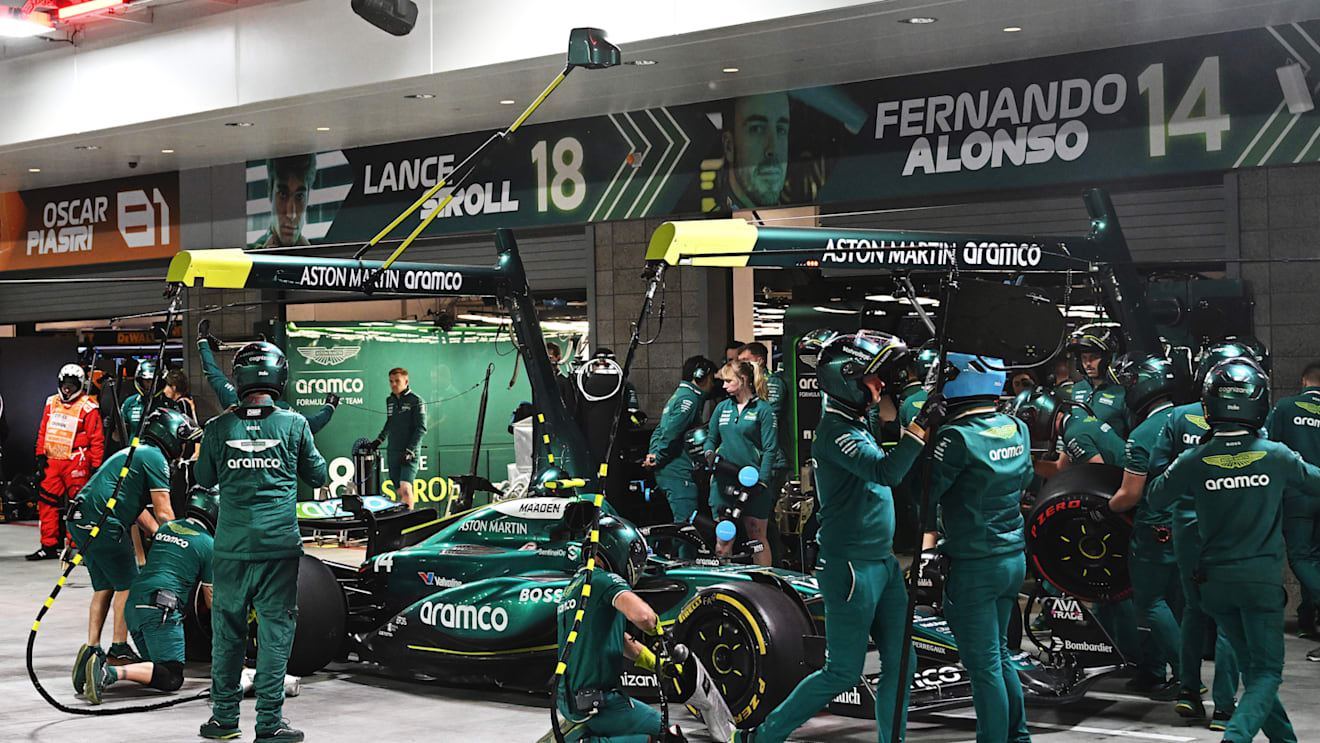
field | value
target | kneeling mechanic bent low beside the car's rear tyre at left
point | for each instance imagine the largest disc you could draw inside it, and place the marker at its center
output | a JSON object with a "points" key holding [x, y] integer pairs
{"points": [[179, 562]]}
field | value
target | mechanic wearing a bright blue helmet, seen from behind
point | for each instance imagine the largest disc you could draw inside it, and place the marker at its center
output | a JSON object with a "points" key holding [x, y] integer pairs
{"points": [[981, 465]]}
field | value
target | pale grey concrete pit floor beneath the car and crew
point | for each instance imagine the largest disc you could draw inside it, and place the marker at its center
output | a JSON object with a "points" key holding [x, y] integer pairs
{"points": [[348, 705]]}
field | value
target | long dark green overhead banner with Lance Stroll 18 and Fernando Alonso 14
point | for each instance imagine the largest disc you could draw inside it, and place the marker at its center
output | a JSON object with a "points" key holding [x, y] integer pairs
{"points": [[1197, 105]]}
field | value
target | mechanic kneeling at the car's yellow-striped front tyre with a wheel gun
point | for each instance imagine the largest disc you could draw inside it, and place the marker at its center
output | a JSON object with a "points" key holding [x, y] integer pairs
{"points": [[589, 699]]}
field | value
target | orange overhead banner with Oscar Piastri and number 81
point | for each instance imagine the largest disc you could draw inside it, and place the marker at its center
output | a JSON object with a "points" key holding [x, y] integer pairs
{"points": [[90, 224]]}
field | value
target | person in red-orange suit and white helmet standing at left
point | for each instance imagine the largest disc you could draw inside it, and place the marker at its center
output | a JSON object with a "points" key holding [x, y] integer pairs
{"points": [[71, 447]]}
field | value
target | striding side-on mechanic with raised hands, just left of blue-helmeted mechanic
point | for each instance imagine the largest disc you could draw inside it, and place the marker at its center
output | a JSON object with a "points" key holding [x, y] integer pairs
{"points": [[860, 579]]}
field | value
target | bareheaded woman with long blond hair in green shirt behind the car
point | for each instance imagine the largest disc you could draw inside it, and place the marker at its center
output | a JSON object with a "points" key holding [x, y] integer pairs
{"points": [[742, 432]]}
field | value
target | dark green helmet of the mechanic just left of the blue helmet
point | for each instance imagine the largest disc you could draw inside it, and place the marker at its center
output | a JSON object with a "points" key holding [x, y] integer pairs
{"points": [[847, 360]]}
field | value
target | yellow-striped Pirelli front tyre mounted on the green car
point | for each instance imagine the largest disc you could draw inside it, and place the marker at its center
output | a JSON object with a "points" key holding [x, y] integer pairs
{"points": [[749, 637]]}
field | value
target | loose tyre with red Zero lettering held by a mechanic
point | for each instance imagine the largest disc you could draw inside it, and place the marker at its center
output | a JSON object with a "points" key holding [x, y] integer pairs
{"points": [[1074, 542]]}
